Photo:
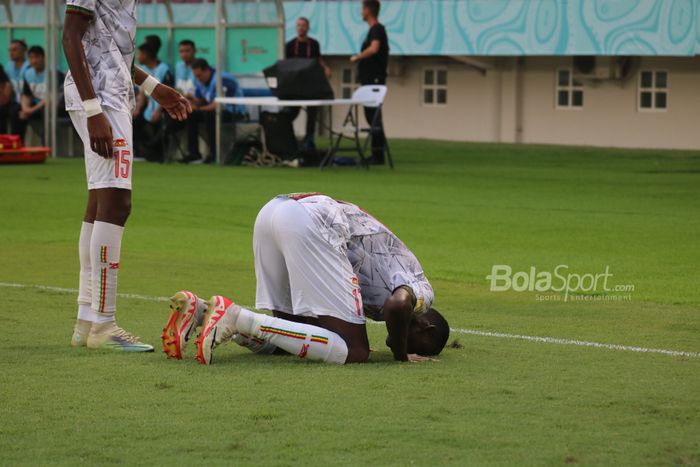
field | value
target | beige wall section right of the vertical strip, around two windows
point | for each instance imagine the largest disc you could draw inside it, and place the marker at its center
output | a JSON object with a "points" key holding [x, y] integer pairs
{"points": [[609, 116]]}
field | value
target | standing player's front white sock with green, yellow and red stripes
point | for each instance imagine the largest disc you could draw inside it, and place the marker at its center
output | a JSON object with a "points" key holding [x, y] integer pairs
{"points": [[105, 246]]}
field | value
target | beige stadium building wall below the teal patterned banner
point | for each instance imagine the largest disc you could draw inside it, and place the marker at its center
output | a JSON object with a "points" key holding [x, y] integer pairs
{"points": [[513, 100]]}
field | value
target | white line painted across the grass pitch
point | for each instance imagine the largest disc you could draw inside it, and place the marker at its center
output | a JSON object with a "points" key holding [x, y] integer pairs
{"points": [[473, 332]]}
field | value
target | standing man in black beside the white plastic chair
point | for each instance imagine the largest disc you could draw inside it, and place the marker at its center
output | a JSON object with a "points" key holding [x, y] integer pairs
{"points": [[371, 66]]}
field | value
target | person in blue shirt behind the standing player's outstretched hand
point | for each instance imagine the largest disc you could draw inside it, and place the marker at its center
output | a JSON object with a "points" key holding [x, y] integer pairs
{"points": [[148, 115]]}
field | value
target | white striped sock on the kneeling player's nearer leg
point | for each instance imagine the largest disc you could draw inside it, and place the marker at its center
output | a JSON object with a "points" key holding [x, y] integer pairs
{"points": [[300, 339]]}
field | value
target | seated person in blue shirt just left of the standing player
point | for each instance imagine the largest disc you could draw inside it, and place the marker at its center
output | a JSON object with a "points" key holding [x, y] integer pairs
{"points": [[33, 98]]}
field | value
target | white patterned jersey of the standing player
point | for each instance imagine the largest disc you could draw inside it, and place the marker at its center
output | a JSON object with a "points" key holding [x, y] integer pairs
{"points": [[109, 48]]}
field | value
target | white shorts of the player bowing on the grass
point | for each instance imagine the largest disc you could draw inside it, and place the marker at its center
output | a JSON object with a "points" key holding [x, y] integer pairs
{"points": [[297, 270]]}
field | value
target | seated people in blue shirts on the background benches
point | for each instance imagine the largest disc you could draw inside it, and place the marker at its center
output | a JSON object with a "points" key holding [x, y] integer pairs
{"points": [[23, 97]]}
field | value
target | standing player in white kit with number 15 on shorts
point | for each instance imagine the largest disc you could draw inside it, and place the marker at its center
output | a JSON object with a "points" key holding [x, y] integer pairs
{"points": [[98, 39]]}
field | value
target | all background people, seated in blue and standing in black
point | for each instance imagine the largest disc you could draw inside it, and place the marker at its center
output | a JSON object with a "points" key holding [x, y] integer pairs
{"points": [[23, 90]]}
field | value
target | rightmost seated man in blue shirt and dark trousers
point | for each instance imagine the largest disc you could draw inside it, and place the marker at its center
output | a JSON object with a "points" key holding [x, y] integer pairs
{"points": [[204, 108]]}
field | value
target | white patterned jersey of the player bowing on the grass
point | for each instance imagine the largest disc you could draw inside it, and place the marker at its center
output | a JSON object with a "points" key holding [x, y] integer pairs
{"points": [[381, 261]]}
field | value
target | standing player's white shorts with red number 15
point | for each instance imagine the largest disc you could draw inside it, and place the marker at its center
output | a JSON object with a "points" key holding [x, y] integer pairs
{"points": [[108, 173]]}
